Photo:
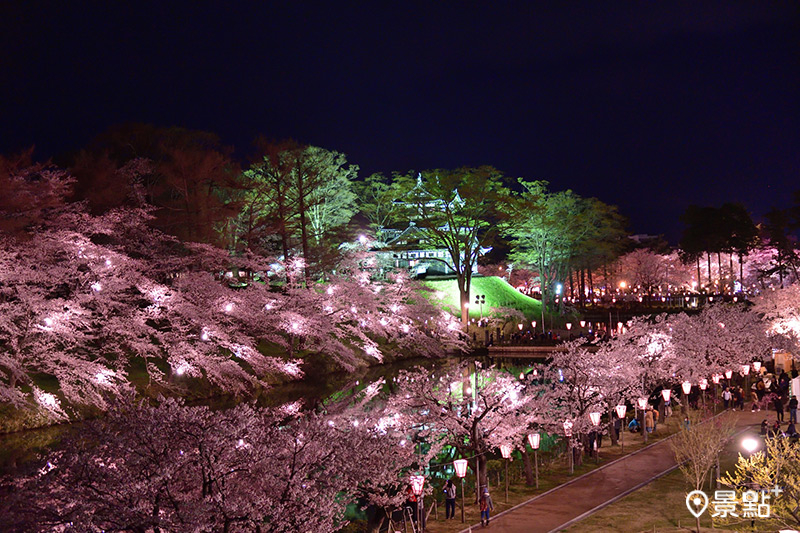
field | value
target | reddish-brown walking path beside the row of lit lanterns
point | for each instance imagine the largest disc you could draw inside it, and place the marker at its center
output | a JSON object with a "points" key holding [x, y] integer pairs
{"points": [[575, 500]]}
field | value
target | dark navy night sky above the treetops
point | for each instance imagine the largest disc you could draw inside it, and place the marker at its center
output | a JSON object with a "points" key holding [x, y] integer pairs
{"points": [[650, 106]]}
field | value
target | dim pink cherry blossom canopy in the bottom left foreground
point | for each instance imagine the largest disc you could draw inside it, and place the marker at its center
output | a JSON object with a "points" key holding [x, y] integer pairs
{"points": [[177, 468]]}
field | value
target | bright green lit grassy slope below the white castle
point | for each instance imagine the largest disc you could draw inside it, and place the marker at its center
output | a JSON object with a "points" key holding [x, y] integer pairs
{"points": [[498, 294]]}
